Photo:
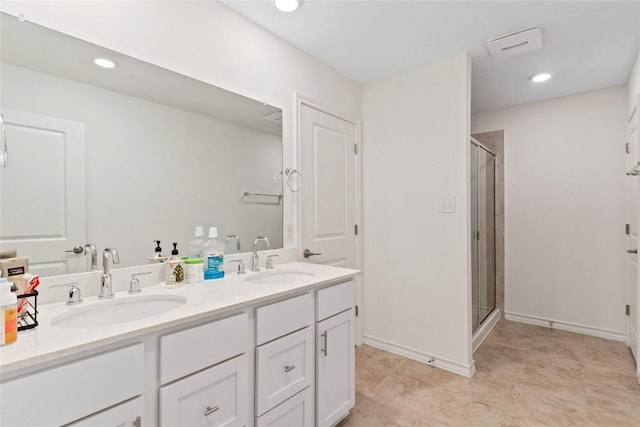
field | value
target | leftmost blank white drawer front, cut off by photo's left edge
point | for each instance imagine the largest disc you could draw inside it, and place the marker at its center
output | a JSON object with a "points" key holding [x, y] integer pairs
{"points": [[69, 392]]}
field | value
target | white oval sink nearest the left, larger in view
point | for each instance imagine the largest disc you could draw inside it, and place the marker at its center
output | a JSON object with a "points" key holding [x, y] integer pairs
{"points": [[118, 311]]}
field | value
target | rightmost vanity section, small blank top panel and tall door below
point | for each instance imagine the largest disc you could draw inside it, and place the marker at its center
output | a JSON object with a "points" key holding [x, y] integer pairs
{"points": [[335, 353]]}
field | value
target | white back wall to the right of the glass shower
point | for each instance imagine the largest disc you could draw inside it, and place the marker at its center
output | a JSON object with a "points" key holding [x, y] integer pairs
{"points": [[565, 210]]}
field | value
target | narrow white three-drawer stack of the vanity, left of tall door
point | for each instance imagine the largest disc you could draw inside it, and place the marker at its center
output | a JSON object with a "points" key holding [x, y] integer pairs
{"points": [[284, 363]]}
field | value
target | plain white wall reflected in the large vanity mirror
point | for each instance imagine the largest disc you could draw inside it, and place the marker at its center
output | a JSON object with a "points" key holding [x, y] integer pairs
{"points": [[155, 172]]}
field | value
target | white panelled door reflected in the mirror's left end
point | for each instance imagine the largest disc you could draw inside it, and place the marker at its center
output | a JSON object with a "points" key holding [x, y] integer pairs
{"points": [[42, 192]]}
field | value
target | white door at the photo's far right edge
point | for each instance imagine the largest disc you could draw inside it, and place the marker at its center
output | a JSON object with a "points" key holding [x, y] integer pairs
{"points": [[633, 190]]}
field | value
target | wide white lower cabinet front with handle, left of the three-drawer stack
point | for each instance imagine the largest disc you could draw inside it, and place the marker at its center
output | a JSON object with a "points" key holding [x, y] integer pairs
{"points": [[217, 396]]}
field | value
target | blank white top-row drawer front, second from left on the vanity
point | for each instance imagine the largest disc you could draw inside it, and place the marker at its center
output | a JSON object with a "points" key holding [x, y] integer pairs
{"points": [[191, 350]]}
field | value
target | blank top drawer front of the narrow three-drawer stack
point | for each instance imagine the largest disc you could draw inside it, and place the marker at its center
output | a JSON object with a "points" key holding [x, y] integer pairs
{"points": [[281, 318]]}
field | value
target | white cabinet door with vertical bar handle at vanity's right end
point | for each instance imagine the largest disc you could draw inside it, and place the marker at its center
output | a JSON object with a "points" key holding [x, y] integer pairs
{"points": [[335, 368]]}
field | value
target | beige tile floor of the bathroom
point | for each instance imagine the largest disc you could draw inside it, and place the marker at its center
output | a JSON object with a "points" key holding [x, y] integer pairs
{"points": [[526, 376]]}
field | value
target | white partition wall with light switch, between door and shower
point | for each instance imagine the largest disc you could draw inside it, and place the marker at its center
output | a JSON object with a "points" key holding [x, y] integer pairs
{"points": [[416, 260]]}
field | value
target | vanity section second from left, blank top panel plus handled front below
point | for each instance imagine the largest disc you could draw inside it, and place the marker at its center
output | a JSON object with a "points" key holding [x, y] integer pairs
{"points": [[211, 367]]}
